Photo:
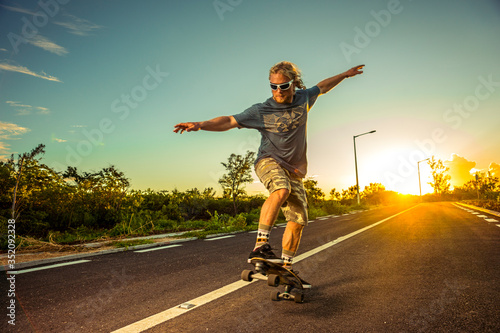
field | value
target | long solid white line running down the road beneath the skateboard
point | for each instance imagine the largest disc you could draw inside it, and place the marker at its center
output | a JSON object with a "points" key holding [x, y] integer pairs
{"points": [[178, 310]]}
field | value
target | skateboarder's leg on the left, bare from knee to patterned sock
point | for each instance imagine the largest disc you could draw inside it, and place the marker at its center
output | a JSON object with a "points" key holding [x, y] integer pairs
{"points": [[269, 214]]}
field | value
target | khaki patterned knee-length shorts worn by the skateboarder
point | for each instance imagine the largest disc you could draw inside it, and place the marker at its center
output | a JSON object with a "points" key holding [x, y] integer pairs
{"points": [[275, 177]]}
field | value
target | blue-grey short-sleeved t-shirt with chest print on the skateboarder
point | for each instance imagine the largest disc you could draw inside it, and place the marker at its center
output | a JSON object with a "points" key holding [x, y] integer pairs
{"points": [[283, 129]]}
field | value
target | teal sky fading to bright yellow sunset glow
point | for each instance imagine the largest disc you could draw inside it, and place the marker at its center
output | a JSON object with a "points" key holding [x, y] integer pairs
{"points": [[103, 83]]}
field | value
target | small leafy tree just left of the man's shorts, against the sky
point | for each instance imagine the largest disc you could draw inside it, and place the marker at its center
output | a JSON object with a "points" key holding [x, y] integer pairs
{"points": [[239, 172]]}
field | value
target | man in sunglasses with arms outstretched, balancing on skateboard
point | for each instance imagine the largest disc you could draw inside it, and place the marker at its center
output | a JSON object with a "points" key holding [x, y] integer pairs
{"points": [[281, 162]]}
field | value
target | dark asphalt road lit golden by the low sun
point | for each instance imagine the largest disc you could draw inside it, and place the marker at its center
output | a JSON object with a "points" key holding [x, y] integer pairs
{"points": [[425, 268]]}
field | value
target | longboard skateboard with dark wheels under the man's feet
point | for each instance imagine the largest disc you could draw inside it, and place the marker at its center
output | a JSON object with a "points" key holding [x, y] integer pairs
{"points": [[276, 275]]}
